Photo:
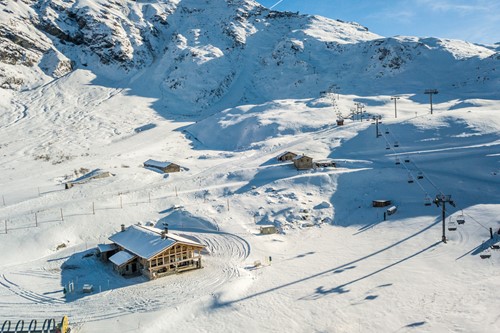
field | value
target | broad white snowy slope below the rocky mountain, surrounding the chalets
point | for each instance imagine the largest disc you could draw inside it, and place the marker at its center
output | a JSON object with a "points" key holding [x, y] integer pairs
{"points": [[335, 266]]}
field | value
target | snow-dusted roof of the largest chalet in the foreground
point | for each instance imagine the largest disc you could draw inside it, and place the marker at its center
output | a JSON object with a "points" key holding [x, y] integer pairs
{"points": [[146, 242]]}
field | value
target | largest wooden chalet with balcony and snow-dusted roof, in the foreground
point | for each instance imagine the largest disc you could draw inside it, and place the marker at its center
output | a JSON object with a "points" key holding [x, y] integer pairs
{"points": [[152, 252]]}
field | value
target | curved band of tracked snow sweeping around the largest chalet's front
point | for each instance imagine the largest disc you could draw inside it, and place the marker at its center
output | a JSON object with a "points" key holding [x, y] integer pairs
{"points": [[226, 253]]}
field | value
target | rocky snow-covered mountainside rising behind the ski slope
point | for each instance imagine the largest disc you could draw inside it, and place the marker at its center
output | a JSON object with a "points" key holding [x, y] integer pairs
{"points": [[210, 55]]}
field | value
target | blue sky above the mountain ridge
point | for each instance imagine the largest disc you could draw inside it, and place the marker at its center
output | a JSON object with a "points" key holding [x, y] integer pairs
{"points": [[475, 21]]}
